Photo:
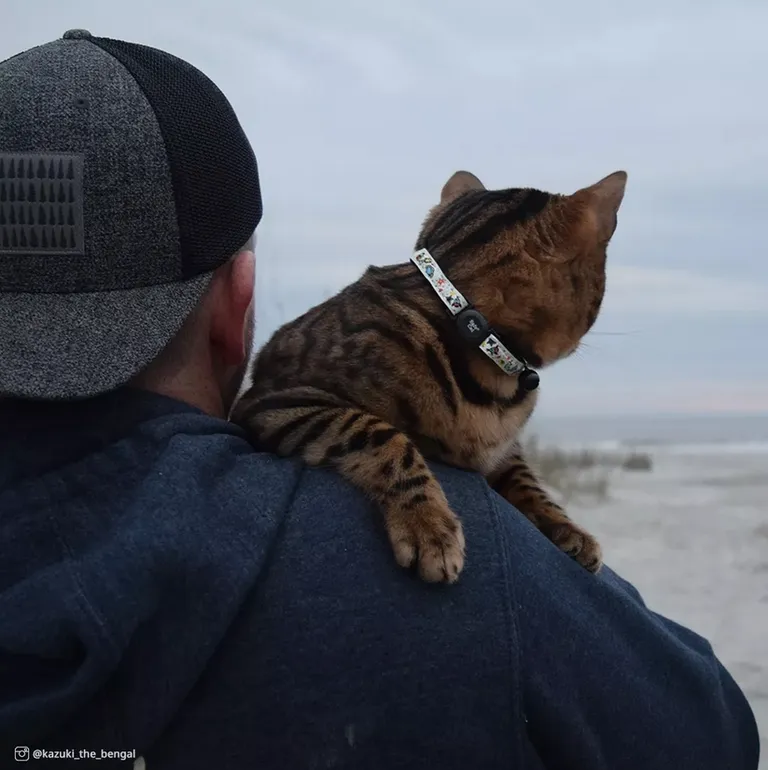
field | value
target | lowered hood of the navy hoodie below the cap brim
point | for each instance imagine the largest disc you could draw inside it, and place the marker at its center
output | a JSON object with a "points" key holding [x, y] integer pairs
{"points": [[128, 543]]}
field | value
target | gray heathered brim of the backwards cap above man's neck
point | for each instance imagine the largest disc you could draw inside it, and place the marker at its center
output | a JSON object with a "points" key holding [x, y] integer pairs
{"points": [[63, 346]]}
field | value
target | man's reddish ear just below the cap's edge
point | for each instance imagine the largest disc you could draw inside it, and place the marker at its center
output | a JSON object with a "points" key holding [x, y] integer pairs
{"points": [[231, 300]]}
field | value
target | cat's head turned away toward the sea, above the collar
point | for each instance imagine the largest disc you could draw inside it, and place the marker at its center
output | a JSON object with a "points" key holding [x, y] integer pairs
{"points": [[532, 262]]}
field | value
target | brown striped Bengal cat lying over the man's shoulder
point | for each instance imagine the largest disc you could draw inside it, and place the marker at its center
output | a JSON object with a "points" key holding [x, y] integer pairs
{"points": [[377, 379]]}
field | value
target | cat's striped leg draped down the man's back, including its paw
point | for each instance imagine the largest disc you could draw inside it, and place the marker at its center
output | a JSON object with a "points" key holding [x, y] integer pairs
{"points": [[374, 456]]}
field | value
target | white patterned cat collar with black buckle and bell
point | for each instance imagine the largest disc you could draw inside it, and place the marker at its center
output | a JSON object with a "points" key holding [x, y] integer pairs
{"points": [[471, 323]]}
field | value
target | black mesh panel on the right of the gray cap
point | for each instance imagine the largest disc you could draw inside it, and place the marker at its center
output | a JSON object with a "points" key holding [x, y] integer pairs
{"points": [[213, 168]]}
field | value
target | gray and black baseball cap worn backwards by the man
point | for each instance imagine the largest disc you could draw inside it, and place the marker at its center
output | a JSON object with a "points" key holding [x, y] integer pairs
{"points": [[125, 181]]}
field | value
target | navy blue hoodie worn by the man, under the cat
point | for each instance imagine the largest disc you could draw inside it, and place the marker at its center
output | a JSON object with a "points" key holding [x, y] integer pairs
{"points": [[169, 593]]}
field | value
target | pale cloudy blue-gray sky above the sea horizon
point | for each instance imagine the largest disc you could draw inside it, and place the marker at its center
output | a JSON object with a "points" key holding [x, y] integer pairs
{"points": [[359, 112]]}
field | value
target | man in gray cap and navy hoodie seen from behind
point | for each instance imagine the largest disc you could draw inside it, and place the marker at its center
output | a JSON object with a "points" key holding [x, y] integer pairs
{"points": [[169, 593]]}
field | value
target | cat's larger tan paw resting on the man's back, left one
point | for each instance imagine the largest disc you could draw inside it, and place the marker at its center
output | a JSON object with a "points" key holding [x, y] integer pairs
{"points": [[431, 537]]}
